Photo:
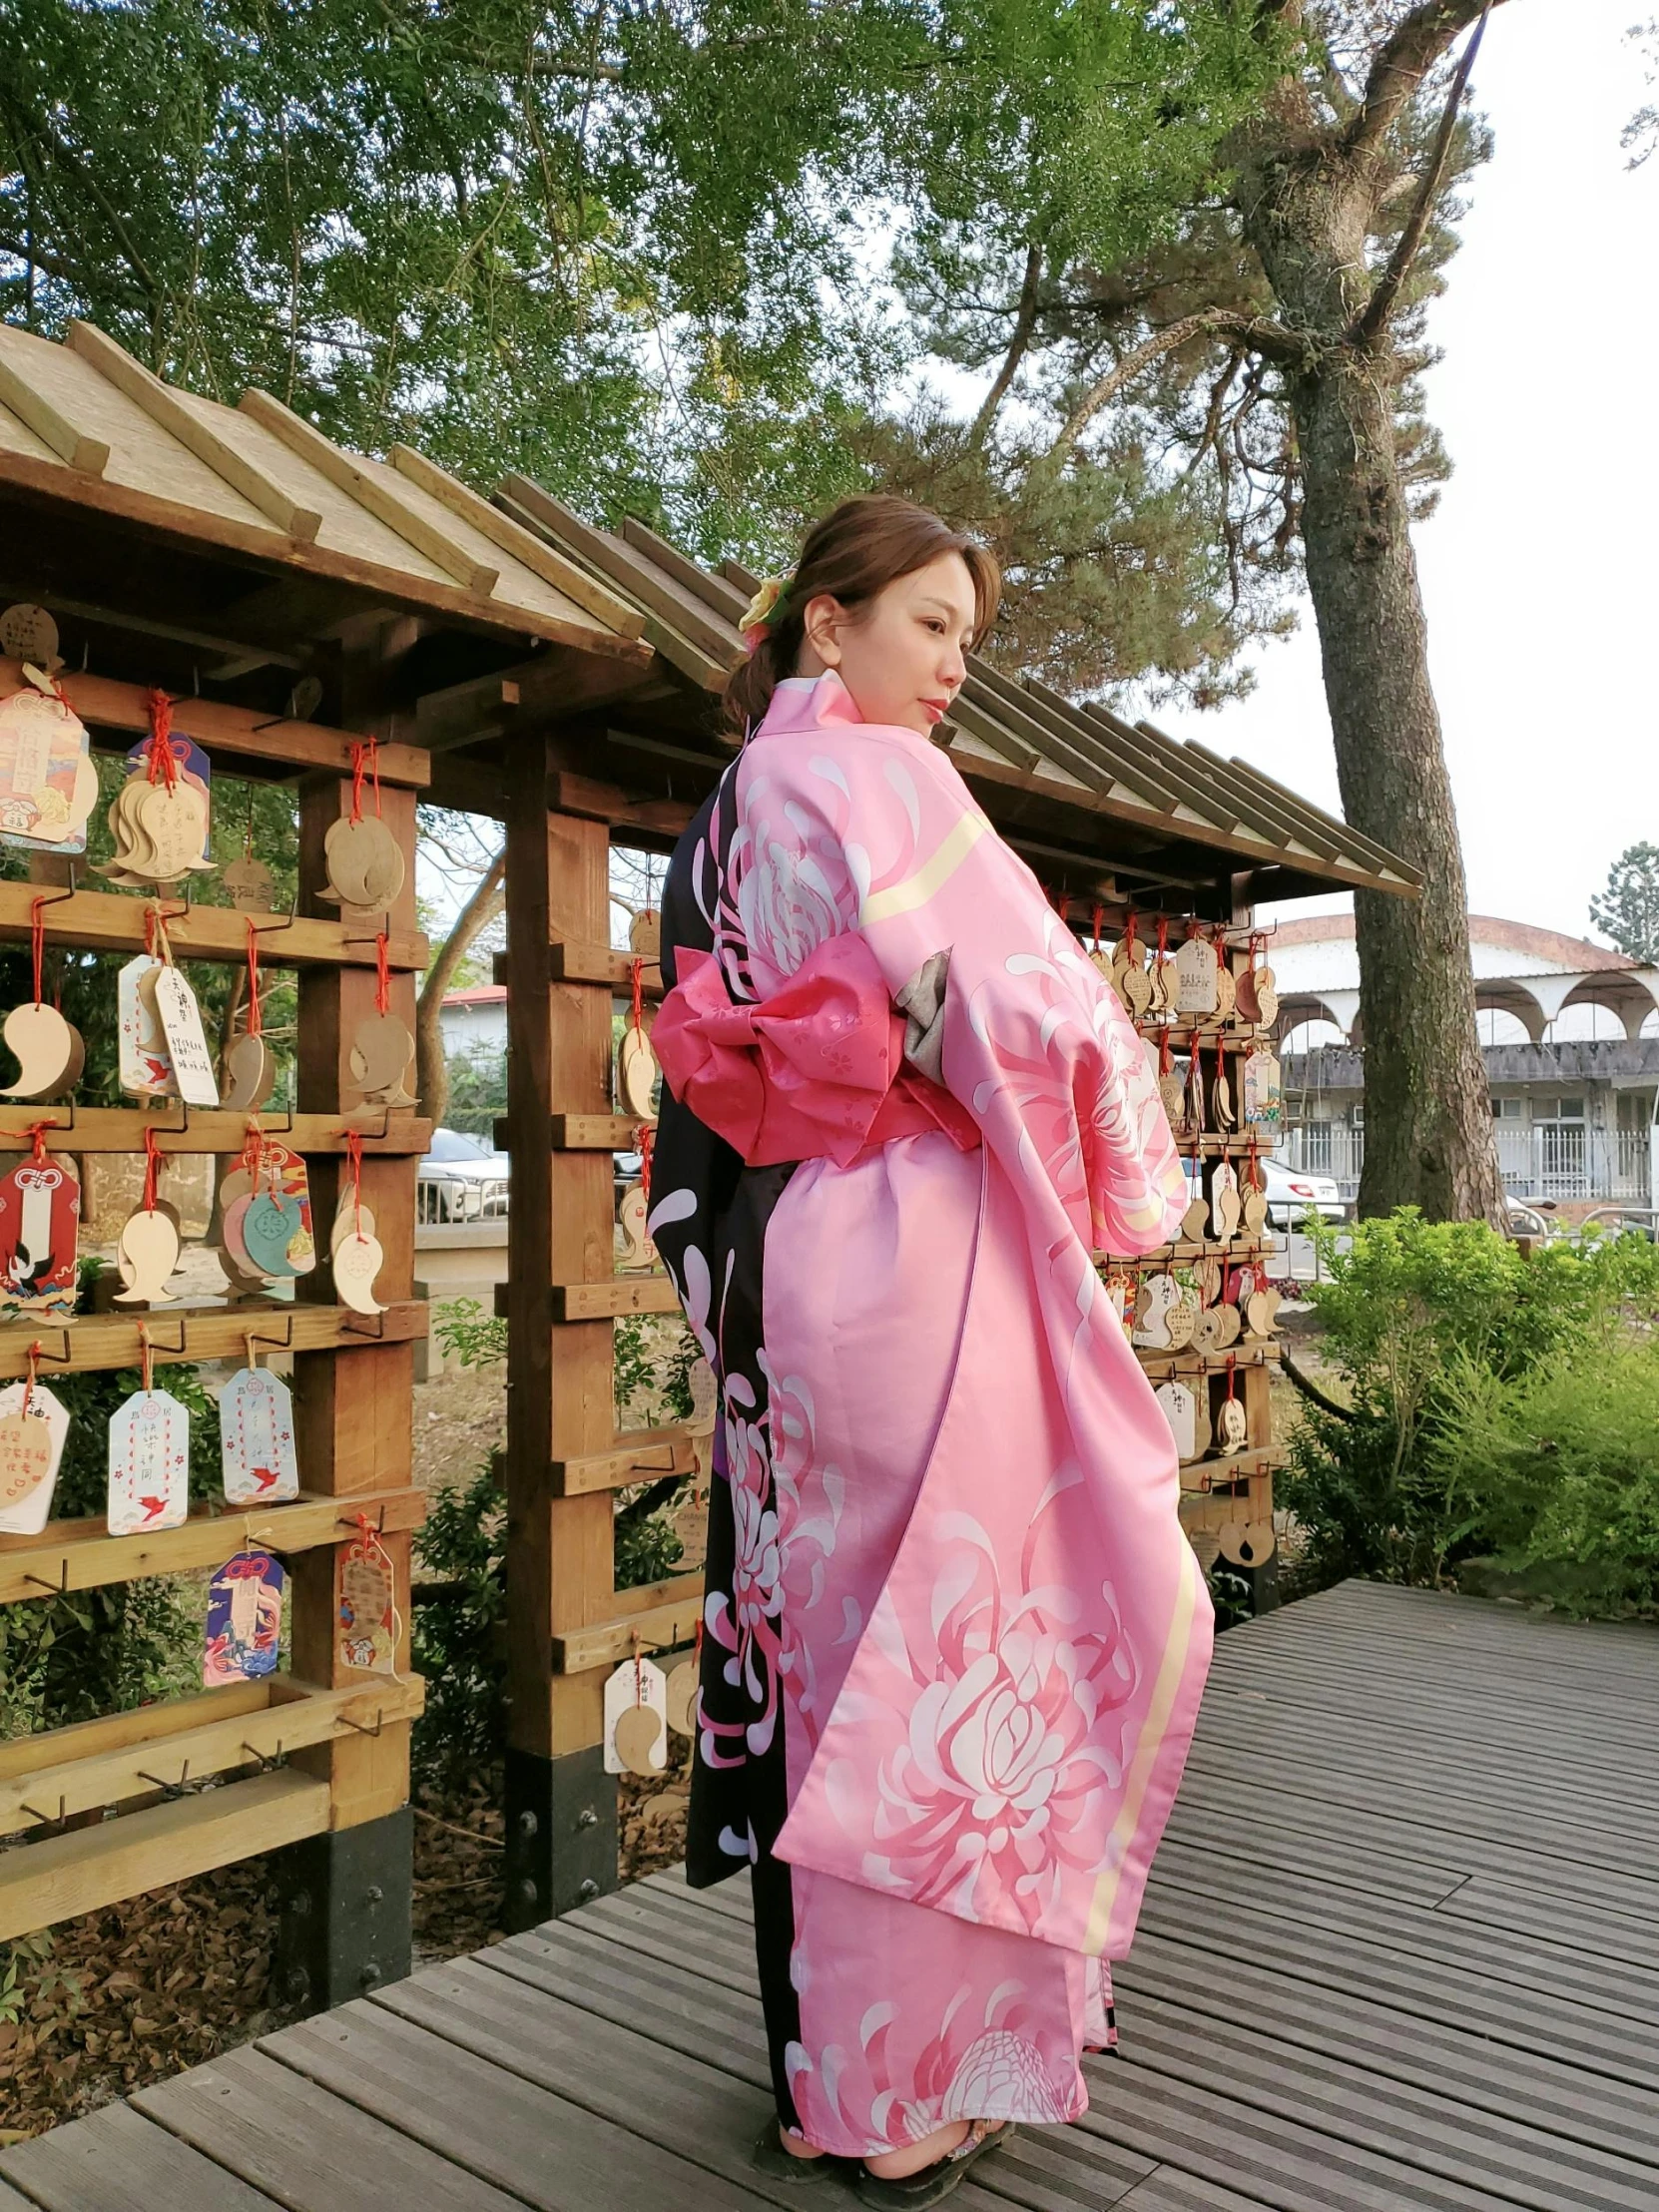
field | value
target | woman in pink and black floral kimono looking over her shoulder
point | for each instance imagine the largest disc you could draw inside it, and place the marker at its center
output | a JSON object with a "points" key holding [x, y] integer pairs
{"points": [[954, 1638]]}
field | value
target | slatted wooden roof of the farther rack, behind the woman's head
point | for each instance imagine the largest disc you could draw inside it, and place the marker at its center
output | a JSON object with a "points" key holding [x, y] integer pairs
{"points": [[1014, 733]]}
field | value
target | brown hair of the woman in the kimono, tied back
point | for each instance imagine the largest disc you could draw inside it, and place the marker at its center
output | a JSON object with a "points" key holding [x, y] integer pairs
{"points": [[857, 552]]}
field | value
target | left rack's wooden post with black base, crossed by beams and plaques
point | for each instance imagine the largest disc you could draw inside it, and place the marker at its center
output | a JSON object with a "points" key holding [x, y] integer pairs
{"points": [[348, 1895]]}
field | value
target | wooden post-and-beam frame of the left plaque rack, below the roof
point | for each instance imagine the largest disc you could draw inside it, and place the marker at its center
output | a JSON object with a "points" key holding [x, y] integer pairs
{"points": [[320, 1755]]}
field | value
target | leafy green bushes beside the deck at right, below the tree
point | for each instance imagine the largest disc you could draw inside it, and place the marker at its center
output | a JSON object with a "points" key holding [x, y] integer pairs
{"points": [[1494, 1408]]}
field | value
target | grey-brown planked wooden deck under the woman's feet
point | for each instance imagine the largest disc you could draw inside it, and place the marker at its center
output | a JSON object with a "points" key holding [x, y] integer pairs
{"points": [[1399, 1952]]}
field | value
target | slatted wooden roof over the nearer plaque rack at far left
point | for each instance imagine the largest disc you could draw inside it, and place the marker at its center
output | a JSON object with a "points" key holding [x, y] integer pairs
{"points": [[90, 428]]}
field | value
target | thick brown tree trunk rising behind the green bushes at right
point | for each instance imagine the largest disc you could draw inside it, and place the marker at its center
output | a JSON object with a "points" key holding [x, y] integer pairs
{"points": [[1428, 1109]]}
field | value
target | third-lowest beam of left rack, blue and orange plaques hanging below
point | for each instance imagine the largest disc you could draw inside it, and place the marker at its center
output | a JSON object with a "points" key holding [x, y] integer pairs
{"points": [[85, 1556]]}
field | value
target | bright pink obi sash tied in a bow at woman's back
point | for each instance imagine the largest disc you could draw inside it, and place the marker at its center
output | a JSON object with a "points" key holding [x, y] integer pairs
{"points": [[817, 1072]]}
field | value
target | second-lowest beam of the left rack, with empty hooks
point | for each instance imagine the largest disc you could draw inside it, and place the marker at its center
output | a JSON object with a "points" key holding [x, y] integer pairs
{"points": [[74, 1780]]}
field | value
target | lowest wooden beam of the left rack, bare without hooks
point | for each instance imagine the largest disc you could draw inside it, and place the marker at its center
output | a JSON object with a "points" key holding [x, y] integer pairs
{"points": [[145, 1850]]}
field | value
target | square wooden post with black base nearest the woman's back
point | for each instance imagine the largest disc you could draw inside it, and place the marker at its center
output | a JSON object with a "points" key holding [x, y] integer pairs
{"points": [[561, 1804]]}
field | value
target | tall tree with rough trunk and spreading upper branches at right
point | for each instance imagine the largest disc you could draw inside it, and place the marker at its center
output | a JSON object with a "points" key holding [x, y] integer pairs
{"points": [[1277, 346]]}
